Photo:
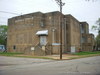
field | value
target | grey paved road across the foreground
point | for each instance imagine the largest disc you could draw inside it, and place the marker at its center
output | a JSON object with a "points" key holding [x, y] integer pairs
{"points": [[29, 66]]}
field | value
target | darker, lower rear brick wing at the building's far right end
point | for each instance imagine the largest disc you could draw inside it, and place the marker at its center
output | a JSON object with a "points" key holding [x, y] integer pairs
{"points": [[87, 40]]}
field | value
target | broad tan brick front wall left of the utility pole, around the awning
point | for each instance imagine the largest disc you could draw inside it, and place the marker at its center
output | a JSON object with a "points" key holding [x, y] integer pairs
{"points": [[22, 30]]}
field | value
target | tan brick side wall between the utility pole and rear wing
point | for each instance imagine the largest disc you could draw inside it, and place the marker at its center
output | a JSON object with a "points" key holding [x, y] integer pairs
{"points": [[73, 33]]}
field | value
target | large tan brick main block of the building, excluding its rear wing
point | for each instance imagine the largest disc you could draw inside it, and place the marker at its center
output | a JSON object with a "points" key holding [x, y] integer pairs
{"points": [[39, 33]]}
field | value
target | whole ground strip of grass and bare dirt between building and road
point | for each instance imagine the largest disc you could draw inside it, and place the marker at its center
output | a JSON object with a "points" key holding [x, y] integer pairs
{"points": [[67, 56]]}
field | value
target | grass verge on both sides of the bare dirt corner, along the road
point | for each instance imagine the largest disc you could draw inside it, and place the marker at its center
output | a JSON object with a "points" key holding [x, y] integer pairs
{"points": [[80, 55]]}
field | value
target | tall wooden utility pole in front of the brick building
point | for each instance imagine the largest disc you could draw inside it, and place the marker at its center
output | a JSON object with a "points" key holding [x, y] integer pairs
{"points": [[61, 4]]}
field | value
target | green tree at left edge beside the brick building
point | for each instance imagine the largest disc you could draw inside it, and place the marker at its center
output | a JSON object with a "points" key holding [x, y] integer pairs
{"points": [[3, 34]]}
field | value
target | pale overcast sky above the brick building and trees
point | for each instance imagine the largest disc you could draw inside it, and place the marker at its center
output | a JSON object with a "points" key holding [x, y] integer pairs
{"points": [[80, 9]]}
